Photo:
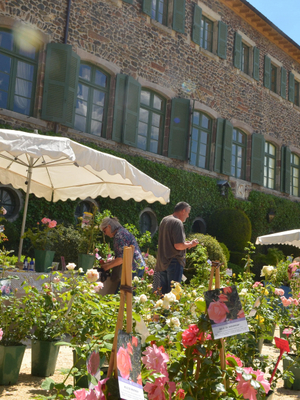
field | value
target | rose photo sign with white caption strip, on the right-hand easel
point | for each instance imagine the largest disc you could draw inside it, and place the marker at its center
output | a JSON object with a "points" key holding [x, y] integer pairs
{"points": [[225, 312]]}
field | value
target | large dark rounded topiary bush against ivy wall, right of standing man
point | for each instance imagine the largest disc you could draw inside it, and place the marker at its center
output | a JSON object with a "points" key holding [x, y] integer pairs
{"points": [[232, 227]]}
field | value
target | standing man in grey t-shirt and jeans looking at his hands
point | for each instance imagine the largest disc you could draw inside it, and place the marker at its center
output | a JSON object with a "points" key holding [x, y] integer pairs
{"points": [[172, 246]]}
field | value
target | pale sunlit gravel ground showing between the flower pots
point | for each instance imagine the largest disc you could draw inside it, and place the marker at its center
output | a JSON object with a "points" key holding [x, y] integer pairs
{"points": [[28, 386]]}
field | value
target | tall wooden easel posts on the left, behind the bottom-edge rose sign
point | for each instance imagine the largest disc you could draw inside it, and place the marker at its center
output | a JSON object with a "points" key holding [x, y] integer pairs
{"points": [[125, 293]]}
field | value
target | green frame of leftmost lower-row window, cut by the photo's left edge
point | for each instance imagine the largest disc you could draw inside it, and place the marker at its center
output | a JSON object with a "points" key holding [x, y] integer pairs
{"points": [[15, 57]]}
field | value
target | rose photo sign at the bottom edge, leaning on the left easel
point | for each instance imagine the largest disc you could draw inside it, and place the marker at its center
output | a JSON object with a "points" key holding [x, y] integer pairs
{"points": [[129, 367]]}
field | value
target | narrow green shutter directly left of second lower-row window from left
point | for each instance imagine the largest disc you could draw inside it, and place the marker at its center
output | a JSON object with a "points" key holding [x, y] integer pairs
{"points": [[72, 89]]}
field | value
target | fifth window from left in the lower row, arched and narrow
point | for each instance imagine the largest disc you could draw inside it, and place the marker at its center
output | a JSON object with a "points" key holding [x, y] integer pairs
{"points": [[238, 154]]}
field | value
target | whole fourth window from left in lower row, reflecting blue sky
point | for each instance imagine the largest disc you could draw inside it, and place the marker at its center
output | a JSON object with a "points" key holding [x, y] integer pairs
{"points": [[200, 140]]}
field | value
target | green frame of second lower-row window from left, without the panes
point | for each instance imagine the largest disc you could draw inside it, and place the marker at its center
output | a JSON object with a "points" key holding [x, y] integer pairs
{"points": [[91, 85]]}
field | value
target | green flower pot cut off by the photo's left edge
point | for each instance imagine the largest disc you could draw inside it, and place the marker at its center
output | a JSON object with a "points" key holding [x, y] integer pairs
{"points": [[10, 363]]}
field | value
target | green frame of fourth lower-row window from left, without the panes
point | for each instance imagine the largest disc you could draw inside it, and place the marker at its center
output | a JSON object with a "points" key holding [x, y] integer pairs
{"points": [[209, 140]]}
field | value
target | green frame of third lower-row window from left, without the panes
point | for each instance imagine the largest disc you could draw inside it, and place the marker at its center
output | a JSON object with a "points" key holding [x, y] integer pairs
{"points": [[149, 123]]}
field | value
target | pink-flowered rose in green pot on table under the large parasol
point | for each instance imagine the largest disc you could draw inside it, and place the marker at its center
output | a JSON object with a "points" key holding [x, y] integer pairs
{"points": [[43, 239]]}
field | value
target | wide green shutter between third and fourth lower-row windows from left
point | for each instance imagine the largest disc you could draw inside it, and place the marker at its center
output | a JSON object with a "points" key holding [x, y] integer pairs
{"points": [[179, 129]]}
